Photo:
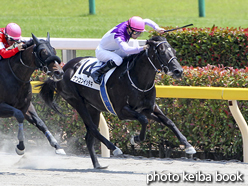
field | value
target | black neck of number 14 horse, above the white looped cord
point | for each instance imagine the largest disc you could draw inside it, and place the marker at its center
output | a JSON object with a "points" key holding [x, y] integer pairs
{"points": [[142, 74]]}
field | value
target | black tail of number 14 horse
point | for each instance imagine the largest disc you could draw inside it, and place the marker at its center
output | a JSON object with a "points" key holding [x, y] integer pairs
{"points": [[47, 93]]}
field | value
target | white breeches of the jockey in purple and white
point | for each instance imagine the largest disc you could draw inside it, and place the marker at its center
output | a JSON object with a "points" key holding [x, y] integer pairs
{"points": [[105, 55]]}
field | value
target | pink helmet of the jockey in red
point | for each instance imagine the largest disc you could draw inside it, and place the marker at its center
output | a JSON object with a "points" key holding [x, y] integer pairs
{"points": [[13, 31]]}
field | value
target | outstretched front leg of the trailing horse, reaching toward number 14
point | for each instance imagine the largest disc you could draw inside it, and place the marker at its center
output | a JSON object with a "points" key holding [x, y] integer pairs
{"points": [[32, 117]]}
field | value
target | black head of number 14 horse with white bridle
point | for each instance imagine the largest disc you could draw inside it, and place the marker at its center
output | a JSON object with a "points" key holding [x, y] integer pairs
{"points": [[164, 56]]}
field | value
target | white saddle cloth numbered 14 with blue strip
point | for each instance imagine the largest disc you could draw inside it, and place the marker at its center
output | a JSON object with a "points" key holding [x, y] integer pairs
{"points": [[82, 77]]}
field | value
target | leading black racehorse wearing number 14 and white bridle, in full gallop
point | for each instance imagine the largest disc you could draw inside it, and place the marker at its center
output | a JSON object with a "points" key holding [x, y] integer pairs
{"points": [[130, 89]]}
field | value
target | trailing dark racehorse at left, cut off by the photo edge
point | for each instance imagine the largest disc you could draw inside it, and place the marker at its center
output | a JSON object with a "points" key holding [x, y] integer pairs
{"points": [[16, 90]]}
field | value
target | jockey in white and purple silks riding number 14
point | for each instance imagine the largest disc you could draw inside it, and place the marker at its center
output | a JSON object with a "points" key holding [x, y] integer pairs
{"points": [[114, 44]]}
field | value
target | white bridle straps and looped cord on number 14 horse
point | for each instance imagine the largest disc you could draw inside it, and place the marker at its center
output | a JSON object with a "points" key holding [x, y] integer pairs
{"points": [[156, 70]]}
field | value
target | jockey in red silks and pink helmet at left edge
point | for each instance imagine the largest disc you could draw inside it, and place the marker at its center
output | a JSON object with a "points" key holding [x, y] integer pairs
{"points": [[9, 40]]}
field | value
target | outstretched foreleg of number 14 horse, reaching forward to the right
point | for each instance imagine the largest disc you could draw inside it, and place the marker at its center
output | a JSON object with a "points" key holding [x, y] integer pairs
{"points": [[161, 118]]}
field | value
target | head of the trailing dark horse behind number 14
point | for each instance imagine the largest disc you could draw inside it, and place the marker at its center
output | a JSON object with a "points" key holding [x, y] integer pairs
{"points": [[46, 58]]}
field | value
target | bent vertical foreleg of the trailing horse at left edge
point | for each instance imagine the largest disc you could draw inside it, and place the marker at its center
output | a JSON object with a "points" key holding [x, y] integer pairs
{"points": [[9, 111]]}
